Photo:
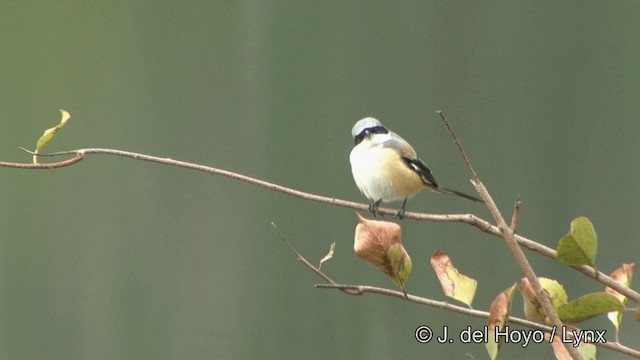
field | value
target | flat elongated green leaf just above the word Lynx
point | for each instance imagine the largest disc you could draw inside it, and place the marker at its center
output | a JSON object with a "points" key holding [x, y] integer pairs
{"points": [[589, 306]]}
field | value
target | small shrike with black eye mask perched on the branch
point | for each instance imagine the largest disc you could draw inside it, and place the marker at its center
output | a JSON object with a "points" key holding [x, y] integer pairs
{"points": [[386, 168]]}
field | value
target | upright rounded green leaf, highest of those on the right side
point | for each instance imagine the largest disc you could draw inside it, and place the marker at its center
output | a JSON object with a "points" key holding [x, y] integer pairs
{"points": [[579, 246]]}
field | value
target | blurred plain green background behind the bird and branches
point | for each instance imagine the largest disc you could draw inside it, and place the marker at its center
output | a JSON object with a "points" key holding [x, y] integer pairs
{"points": [[118, 259]]}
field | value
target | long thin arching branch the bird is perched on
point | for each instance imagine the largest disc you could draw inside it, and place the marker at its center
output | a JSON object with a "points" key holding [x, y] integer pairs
{"points": [[468, 219]]}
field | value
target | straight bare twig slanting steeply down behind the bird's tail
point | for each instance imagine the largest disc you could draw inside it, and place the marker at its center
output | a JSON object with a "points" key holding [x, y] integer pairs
{"points": [[508, 233]]}
